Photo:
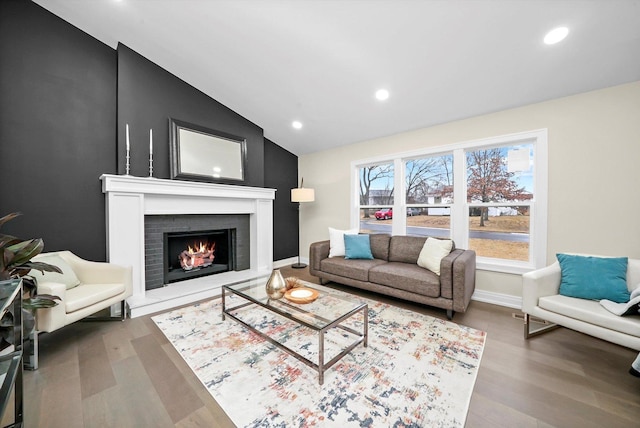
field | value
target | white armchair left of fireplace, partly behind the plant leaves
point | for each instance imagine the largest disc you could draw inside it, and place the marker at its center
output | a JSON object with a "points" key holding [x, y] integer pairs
{"points": [[84, 288]]}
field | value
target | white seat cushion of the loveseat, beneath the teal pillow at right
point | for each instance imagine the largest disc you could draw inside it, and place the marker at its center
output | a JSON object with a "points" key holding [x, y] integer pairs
{"points": [[590, 311]]}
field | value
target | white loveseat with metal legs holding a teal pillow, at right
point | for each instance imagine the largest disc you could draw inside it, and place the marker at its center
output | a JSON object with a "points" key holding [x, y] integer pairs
{"points": [[540, 299]]}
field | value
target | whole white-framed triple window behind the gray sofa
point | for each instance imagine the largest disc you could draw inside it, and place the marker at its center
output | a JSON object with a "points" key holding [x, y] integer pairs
{"points": [[488, 195]]}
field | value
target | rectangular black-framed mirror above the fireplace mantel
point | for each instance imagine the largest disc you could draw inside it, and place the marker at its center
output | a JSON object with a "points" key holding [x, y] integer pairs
{"points": [[199, 153]]}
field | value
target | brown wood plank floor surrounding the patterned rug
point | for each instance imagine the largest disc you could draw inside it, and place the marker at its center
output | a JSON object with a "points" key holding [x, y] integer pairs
{"points": [[126, 374]]}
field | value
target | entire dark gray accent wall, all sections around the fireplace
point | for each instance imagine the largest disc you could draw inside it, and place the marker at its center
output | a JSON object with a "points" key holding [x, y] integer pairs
{"points": [[65, 98]]}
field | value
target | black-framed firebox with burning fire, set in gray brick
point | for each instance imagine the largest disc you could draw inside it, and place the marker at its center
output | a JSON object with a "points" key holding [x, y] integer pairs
{"points": [[192, 254]]}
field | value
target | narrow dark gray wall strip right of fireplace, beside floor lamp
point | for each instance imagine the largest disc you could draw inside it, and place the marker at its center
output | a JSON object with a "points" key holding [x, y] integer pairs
{"points": [[281, 173]]}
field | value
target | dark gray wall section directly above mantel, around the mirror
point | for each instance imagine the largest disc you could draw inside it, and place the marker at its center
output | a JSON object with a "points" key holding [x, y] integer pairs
{"points": [[148, 96]]}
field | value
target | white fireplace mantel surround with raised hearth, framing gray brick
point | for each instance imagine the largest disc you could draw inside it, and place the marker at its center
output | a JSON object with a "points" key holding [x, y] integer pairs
{"points": [[129, 199]]}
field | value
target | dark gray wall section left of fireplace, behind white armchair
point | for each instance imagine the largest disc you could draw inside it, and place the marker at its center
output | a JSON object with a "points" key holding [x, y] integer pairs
{"points": [[57, 129]]}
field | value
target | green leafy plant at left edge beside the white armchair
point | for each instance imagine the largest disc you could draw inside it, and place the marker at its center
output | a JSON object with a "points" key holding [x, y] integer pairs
{"points": [[15, 262]]}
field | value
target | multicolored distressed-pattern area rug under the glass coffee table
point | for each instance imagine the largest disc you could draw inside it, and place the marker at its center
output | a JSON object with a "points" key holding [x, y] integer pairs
{"points": [[418, 371]]}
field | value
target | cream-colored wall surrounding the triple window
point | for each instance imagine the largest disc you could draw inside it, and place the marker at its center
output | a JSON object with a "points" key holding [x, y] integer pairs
{"points": [[594, 173]]}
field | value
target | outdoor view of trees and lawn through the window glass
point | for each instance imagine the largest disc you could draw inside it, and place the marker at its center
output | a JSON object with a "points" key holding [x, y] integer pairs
{"points": [[499, 194]]}
